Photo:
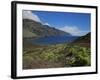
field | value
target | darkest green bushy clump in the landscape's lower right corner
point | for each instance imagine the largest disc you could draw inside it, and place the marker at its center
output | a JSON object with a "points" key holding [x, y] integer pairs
{"points": [[78, 56]]}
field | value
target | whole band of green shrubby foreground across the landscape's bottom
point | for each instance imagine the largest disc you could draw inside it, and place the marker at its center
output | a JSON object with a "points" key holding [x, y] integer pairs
{"points": [[59, 55]]}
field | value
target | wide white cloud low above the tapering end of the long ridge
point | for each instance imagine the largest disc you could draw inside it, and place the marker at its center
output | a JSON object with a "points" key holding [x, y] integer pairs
{"points": [[73, 30]]}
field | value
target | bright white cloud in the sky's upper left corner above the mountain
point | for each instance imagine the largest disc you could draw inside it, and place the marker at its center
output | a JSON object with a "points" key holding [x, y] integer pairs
{"points": [[30, 15]]}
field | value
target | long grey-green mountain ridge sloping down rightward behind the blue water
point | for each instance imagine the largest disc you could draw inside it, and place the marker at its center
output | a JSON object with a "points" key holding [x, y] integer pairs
{"points": [[36, 29]]}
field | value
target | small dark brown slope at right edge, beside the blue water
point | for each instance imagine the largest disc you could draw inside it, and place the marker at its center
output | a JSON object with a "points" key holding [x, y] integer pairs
{"points": [[84, 40]]}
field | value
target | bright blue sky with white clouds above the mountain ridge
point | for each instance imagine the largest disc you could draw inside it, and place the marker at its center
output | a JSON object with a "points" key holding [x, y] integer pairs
{"points": [[77, 24]]}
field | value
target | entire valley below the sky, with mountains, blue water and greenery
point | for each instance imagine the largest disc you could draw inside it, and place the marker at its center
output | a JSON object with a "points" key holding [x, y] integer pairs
{"points": [[48, 47]]}
